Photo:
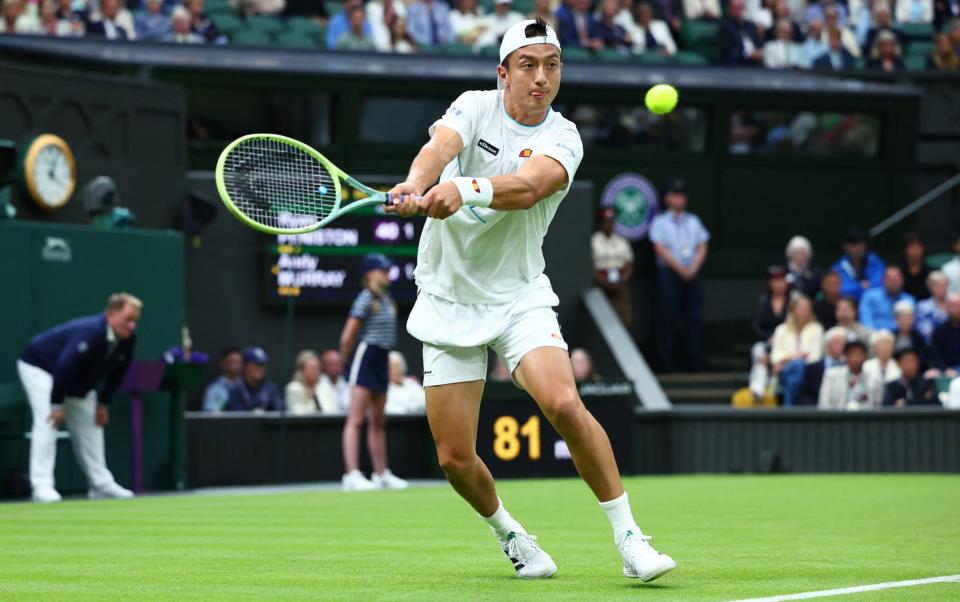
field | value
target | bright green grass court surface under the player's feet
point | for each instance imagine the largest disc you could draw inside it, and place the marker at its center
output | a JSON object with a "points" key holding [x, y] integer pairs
{"points": [[733, 537]]}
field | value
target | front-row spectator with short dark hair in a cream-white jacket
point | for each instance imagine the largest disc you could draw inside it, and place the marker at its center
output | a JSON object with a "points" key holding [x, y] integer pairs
{"points": [[849, 387]]}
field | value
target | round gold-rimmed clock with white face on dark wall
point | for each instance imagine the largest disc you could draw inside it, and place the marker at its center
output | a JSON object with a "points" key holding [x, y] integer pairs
{"points": [[49, 172]]}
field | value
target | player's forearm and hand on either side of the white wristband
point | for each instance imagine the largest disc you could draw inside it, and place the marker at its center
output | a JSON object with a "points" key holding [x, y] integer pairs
{"points": [[540, 177]]}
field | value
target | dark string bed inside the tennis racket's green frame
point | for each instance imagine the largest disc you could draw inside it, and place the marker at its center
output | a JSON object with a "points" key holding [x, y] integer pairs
{"points": [[278, 185]]}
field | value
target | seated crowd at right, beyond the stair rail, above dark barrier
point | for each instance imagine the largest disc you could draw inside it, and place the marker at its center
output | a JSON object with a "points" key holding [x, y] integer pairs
{"points": [[863, 334]]}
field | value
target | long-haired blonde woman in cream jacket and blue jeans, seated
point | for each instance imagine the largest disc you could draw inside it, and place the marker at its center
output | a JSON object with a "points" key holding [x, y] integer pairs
{"points": [[796, 343]]}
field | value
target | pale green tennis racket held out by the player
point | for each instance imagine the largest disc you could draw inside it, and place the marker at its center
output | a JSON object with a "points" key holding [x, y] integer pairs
{"points": [[279, 185]]}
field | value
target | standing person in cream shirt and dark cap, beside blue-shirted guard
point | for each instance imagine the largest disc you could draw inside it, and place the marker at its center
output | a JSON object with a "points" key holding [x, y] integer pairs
{"points": [[613, 266]]}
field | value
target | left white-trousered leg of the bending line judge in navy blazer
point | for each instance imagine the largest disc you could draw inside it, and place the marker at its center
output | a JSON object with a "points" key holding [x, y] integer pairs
{"points": [[43, 437]]}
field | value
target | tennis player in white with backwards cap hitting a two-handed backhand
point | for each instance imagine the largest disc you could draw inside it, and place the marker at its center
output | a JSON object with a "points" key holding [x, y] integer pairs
{"points": [[505, 160]]}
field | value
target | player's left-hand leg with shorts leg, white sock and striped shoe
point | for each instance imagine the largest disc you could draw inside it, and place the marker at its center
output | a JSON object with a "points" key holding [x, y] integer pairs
{"points": [[453, 410]]}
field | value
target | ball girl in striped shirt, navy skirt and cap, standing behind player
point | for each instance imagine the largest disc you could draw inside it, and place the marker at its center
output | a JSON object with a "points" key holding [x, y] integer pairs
{"points": [[368, 336]]}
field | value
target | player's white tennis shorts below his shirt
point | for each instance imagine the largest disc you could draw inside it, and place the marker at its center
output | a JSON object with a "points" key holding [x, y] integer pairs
{"points": [[456, 336]]}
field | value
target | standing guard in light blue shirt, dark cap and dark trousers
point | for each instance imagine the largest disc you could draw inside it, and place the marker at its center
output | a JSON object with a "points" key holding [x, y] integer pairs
{"points": [[680, 243]]}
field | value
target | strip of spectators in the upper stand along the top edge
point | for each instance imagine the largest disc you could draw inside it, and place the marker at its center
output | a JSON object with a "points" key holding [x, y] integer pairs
{"points": [[884, 35]]}
